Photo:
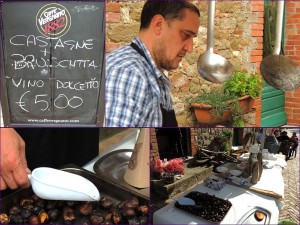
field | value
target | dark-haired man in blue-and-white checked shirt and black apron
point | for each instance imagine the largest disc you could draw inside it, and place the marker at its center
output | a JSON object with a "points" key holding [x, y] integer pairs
{"points": [[137, 91]]}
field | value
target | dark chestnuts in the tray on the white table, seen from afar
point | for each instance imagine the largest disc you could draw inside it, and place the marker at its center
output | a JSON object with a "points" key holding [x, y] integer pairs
{"points": [[207, 206]]}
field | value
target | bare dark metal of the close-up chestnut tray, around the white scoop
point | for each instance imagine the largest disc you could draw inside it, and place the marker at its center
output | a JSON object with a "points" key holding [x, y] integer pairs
{"points": [[106, 188]]}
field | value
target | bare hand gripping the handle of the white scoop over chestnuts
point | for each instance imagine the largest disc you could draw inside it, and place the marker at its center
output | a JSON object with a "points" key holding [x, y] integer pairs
{"points": [[14, 168]]}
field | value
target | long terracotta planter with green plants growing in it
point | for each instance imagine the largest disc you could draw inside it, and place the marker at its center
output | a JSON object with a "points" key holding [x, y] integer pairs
{"points": [[230, 102]]}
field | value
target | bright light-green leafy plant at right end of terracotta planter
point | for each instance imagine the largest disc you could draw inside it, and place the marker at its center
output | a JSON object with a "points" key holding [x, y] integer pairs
{"points": [[242, 83]]}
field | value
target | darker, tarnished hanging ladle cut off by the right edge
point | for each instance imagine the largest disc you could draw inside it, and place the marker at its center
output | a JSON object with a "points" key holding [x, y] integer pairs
{"points": [[279, 71]]}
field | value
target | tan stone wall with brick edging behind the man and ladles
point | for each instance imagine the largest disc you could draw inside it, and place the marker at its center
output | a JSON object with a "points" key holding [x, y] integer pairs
{"points": [[238, 37]]}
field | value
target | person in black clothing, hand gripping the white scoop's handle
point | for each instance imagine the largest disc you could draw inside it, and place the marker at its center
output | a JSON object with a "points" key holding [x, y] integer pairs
{"points": [[24, 149]]}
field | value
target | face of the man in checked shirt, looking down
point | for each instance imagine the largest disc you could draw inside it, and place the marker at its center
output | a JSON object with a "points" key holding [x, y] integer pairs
{"points": [[176, 39]]}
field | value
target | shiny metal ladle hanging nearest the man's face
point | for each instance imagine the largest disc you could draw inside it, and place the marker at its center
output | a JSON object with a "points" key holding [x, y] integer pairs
{"points": [[213, 67]]}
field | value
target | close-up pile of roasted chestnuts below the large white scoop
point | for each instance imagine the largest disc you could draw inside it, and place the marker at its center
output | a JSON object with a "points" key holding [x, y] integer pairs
{"points": [[34, 210]]}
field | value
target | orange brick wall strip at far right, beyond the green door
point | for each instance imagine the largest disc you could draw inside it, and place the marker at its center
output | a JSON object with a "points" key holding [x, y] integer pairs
{"points": [[292, 50]]}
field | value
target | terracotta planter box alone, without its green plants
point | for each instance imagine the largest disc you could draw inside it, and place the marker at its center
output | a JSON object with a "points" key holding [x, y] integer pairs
{"points": [[204, 114]]}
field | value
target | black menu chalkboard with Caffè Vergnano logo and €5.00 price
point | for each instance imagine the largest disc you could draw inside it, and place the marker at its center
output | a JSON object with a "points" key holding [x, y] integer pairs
{"points": [[52, 58]]}
